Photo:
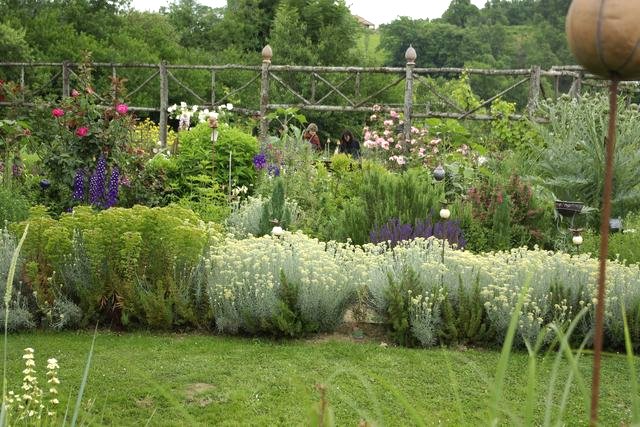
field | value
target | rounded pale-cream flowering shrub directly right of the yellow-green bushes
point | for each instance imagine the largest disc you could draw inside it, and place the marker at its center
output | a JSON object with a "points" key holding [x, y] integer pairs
{"points": [[287, 286]]}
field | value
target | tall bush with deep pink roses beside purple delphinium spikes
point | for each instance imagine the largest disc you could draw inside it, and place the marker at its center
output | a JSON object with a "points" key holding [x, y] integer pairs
{"points": [[78, 131]]}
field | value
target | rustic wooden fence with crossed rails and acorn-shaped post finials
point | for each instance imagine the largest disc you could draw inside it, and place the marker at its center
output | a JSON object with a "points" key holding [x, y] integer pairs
{"points": [[317, 88]]}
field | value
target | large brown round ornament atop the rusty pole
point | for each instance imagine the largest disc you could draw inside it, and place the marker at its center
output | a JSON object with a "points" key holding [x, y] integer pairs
{"points": [[604, 36]]}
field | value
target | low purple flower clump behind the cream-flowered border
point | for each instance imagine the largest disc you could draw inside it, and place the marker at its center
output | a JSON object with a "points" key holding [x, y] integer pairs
{"points": [[395, 232]]}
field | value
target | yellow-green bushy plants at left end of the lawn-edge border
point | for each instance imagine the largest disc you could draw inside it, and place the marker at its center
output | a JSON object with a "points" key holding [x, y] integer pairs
{"points": [[128, 267]]}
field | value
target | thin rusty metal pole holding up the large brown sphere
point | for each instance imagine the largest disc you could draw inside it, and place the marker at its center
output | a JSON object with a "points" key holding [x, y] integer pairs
{"points": [[604, 250]]}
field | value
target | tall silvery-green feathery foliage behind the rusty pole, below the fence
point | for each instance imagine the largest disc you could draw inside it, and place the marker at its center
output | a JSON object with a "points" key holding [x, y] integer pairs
{"points": [[572, 162]]}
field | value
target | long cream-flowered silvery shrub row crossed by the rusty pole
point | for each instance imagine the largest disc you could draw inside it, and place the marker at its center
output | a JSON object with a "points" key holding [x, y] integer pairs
{"points": [[556, 287]]}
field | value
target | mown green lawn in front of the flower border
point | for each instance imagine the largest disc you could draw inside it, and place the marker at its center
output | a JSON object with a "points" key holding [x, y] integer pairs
{"points": [[172, 379]]}
